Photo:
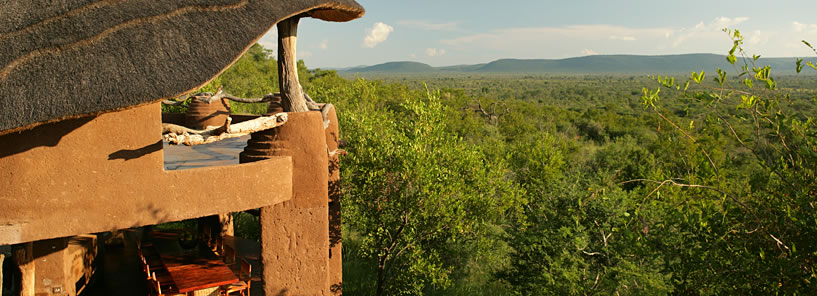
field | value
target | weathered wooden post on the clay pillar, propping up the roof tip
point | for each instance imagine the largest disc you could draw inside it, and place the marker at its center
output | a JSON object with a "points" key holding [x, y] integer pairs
{"points": [[292, 98]]}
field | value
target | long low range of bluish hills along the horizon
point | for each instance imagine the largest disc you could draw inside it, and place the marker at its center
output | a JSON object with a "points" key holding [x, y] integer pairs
{"points": [[684, 63]]}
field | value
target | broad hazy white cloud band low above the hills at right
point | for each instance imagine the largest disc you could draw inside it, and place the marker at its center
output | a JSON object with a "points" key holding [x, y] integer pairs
{"points": [[782, 39]]}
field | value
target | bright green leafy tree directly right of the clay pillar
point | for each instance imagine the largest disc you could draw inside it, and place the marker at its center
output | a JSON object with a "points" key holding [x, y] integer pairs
{"points": [[412, 190]]}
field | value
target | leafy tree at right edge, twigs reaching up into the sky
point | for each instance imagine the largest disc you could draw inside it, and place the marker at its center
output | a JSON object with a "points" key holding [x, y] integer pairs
{"points": [[752, 217]]}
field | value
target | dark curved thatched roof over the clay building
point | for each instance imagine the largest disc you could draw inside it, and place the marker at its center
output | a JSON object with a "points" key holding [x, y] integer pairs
{"points": [[69, 58]]}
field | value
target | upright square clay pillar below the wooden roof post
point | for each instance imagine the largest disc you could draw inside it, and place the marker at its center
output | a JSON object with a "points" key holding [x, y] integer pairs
{"points": [[295, 233]]}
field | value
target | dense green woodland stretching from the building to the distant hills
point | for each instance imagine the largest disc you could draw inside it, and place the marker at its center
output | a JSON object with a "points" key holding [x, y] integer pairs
{"points": [[486, 184]]}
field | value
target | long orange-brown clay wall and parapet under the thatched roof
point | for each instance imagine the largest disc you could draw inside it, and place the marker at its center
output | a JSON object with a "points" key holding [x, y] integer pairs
{"points": [[102, 173]]}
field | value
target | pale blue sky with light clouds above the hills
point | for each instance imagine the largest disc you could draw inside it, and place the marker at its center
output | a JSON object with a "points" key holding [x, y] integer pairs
{"points": [[455, 32]]}
